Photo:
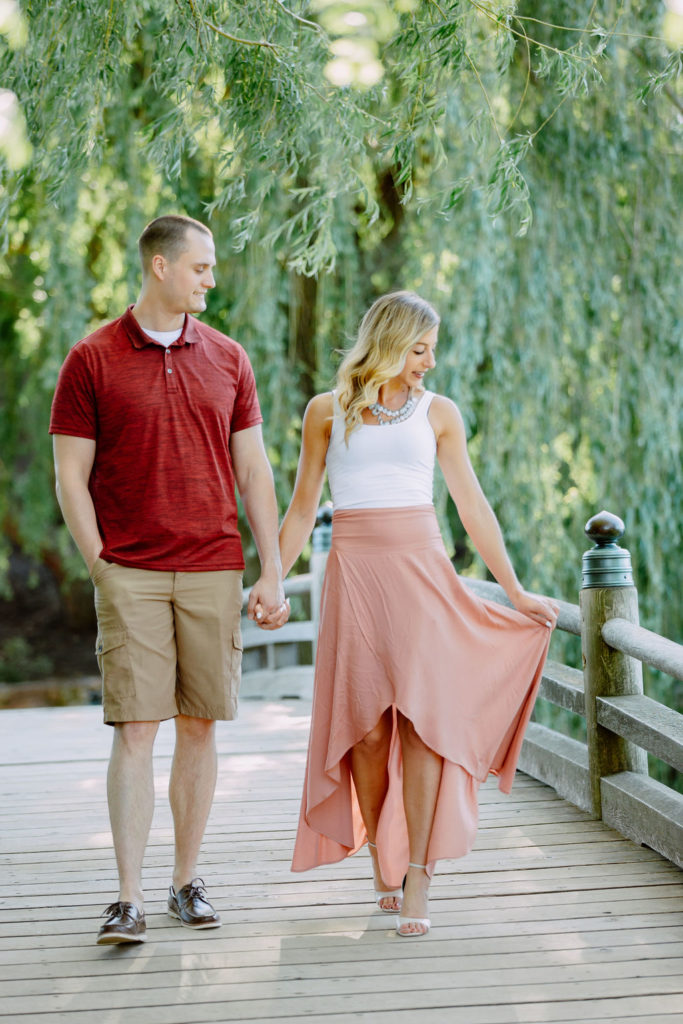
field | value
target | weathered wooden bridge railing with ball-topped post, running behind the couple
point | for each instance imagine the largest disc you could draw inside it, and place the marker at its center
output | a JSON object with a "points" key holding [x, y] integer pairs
{"points": [[608, 775]]}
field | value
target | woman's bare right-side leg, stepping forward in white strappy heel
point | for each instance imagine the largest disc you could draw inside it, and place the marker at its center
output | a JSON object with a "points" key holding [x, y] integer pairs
{"points": [[422, 778]]}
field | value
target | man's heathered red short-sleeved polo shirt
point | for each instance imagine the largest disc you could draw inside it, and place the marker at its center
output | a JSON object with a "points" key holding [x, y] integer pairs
{"points": [[162, 483]]}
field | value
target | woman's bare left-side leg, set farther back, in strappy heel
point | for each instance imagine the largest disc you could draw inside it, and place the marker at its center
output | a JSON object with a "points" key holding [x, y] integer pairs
{"points": [[369, 769]]}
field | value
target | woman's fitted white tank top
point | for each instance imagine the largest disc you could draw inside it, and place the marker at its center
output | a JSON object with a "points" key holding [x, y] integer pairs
{"points": [[389, 466]]}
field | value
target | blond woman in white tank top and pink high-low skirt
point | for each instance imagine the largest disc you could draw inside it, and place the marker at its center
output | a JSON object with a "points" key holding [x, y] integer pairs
{"points": [[421, 689]]}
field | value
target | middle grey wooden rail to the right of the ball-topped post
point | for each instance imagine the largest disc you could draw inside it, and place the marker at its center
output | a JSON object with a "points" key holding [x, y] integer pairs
{"points": [[648, 723]]}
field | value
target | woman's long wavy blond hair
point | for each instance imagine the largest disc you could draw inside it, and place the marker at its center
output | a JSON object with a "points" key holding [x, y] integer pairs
{"points": [[393, 325]]}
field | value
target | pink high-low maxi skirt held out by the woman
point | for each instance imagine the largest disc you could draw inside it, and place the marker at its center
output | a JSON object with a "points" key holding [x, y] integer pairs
{"points": [[400, 630]]}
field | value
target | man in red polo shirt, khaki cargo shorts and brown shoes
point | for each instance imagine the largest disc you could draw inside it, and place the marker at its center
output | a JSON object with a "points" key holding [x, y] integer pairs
{"points": [[155, 419]]}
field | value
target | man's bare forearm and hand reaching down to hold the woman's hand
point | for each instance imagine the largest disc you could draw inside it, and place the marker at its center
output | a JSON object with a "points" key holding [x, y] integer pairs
{"points": [[254, 480]]}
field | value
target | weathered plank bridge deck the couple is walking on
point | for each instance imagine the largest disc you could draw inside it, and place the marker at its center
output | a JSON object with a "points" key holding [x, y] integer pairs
{"points": [[553, 918]]}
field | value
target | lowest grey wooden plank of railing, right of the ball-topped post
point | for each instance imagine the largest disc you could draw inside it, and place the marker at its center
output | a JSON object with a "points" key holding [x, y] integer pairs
{"points": [[647, 812]]}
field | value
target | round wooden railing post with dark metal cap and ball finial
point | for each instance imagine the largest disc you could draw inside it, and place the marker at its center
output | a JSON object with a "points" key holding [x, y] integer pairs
{"points": [[608, 592]]}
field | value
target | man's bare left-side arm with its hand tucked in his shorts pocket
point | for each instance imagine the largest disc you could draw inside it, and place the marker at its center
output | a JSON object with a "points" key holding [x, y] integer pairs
{"points": [[73, 464]]}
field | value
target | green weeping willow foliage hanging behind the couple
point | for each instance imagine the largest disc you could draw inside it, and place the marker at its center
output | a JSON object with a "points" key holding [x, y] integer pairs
{"points": [[518, 163]]}
